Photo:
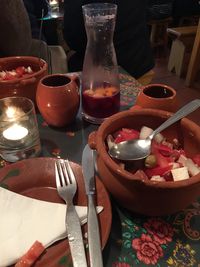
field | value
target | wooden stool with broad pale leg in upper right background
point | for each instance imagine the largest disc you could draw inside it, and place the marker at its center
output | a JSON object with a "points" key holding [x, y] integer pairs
{"points": [[183, 38]]}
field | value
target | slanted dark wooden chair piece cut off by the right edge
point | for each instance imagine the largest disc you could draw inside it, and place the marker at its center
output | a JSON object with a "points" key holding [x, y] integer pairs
{"points": [[194, 64]]}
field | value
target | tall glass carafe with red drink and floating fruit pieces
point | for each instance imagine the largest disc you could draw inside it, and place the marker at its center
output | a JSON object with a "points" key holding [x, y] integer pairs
{"points": [[100, 78]]}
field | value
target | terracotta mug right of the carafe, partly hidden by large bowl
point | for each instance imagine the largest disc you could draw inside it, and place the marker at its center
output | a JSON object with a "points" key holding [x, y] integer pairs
{"points": [[158, 96]]}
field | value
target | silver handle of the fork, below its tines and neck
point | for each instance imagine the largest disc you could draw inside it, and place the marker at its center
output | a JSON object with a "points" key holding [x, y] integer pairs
{"points": [[75, 238]]}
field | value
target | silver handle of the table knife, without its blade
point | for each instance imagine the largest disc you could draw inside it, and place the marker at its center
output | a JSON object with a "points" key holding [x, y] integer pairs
{"points": [[93, 235]]}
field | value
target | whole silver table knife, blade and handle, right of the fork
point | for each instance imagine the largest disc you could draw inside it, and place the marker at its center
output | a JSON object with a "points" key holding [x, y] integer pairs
{"points": [[94, 243]]}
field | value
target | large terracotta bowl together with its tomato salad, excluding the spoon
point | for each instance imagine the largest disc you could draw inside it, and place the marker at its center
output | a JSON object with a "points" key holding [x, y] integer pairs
{"points": [[166, 183]]}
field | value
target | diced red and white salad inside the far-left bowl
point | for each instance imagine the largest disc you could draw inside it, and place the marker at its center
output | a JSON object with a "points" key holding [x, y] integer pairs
{"points": [[19, 72]]}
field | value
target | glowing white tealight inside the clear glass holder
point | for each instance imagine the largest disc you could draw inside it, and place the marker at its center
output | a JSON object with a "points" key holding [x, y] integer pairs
{"points": [[15, 132]]}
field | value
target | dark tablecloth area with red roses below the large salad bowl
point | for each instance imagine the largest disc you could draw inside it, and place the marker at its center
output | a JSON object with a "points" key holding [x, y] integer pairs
{"points": [[160, 241]]}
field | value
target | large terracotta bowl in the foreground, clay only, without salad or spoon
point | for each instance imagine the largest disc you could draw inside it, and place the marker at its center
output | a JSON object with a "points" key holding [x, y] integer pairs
{"points": [[145, 196]]}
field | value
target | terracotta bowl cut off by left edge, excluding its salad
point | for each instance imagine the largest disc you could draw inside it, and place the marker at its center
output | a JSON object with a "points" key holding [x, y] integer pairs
{"points": [[24, 86]]}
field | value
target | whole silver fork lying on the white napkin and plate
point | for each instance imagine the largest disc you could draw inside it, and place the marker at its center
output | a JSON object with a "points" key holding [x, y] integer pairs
{"points": [[66, 187]]}
